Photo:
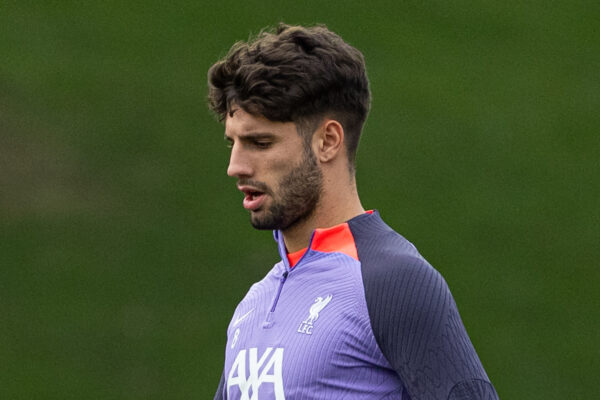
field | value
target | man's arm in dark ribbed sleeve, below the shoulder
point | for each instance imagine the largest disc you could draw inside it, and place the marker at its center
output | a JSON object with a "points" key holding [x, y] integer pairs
{"points": [[417, 326]]}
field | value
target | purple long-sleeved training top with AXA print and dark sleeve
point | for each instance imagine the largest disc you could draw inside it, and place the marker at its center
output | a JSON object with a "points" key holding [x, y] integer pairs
{"points": [[360, 316]]}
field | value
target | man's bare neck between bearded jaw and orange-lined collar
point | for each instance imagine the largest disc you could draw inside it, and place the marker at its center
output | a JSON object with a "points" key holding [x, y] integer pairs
{"points": [[337, 205]]}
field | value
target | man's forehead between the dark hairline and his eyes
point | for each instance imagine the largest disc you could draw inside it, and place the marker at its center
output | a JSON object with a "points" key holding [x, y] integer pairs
{"points": [[240, 123]]}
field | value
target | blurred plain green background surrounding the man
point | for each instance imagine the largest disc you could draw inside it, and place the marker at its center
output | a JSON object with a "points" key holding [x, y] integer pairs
{"points": [[123, 244]]}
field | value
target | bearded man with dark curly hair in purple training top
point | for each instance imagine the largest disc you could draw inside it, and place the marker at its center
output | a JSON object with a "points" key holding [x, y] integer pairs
{"points": [[352, 310]]}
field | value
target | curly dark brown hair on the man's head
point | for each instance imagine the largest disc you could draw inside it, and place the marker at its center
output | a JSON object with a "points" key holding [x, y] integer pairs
{"points": [[295, 74]]}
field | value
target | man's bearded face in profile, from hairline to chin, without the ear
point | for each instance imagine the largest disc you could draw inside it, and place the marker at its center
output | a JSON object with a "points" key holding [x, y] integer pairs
{"points": [[277, 172]]}
